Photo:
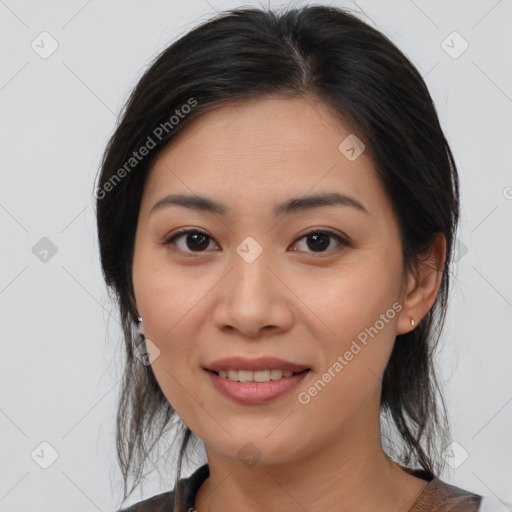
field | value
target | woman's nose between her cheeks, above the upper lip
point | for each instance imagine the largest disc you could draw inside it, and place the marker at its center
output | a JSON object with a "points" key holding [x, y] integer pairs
{"points": [[253, 299]]}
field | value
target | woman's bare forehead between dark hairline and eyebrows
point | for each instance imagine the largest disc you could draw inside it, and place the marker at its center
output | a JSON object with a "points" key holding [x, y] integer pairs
{"points": [[265, 148]]}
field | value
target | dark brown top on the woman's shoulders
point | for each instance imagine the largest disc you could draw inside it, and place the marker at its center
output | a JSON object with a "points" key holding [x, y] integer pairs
{"points": [[437, 496]]}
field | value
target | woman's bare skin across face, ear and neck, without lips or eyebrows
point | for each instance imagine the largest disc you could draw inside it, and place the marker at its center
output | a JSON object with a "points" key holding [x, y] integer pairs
{"points": [[300, 305]]}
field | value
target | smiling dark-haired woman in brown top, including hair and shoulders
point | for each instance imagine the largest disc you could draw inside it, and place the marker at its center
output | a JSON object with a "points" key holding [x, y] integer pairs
{"points": [[276, 214]]}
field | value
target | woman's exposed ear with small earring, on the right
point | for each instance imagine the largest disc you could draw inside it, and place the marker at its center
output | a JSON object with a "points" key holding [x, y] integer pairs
{"points": [[423, 286]]}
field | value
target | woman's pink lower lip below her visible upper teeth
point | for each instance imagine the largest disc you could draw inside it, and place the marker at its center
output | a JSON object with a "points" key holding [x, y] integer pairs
{"points": [[255, 392]]}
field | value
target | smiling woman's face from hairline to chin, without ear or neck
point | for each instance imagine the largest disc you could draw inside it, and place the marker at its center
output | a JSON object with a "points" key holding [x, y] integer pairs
{"points": [[317, 285]]}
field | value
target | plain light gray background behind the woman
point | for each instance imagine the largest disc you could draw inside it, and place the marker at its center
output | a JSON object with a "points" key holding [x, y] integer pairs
{"points": [[60, 338]]}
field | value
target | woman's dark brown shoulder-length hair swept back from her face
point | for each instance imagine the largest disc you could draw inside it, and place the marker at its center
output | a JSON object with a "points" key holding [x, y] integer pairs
{"points": [[366, 81]]}
